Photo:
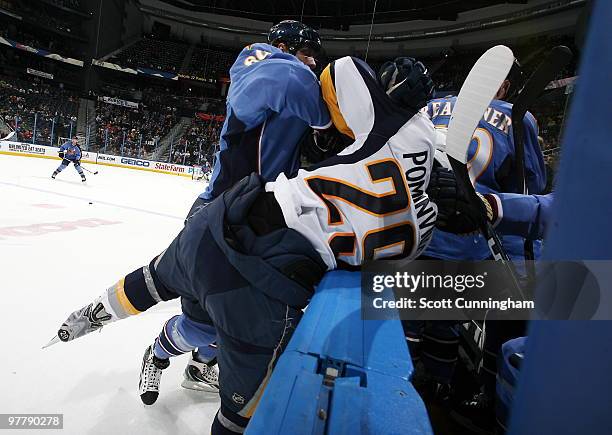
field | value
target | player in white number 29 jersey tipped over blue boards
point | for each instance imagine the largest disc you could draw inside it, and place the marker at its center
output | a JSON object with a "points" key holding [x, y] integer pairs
{"points": [[252, 257]]}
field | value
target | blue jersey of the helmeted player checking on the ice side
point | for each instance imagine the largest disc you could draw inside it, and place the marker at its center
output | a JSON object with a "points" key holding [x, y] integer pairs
{"points": [[272, 100]]}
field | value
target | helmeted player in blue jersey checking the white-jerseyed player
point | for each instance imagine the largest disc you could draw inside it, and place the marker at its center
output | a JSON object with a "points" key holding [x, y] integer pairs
{"points": [[273, 100]]}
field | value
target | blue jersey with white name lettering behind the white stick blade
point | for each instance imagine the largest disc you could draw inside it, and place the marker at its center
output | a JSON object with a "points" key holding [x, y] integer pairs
{"points": [[492, 169]]}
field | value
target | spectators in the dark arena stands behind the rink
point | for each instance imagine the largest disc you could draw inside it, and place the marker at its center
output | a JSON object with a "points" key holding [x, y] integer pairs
{"points": [[137, 132]]}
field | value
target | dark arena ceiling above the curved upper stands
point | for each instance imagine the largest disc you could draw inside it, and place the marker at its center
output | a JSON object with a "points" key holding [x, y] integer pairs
{"points": [[339, 14]]}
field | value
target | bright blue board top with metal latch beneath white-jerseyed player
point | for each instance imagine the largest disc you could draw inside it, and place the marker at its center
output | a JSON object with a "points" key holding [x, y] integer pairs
{"points": [[340, 374]]}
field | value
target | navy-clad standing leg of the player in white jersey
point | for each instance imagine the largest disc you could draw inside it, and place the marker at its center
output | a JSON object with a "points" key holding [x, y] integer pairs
{"points": [[253, 331]]}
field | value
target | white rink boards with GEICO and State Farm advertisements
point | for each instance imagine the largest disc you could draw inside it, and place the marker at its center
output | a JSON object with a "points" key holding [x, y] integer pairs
{"points": [[49, 152]]}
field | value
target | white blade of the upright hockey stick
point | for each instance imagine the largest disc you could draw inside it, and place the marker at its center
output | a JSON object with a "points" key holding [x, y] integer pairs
{"points": [[479, 88]]}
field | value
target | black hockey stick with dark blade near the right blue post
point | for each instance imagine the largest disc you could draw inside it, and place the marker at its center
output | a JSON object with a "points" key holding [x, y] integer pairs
{"points": [[546, 71]]}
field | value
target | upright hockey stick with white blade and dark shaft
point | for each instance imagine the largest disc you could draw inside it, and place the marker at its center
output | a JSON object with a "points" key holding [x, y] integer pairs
{"points": [[479, 88]]}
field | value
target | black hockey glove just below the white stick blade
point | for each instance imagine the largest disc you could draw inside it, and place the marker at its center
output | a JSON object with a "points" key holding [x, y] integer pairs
{"points": [[455, 214]]}
